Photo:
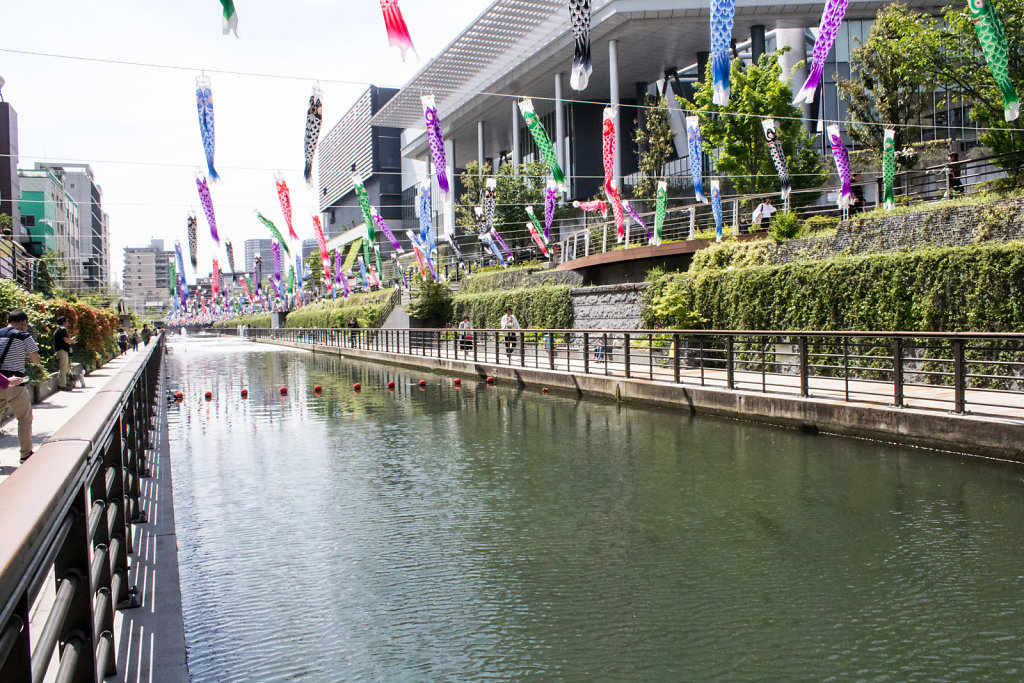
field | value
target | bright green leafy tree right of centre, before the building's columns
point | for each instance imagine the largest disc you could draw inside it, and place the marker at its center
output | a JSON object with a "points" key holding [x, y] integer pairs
{"points": [[739, 138]]}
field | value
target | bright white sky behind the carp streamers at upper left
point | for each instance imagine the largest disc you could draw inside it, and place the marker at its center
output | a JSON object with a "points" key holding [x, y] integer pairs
{"points": [[138, 126]]}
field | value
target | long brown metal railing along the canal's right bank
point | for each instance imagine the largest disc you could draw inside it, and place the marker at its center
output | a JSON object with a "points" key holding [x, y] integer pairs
{"points": [[983, 374]]}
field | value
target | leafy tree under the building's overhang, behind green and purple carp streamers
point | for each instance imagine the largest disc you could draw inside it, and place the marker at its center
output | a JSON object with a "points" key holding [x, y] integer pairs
{"points": [[516, 193]]}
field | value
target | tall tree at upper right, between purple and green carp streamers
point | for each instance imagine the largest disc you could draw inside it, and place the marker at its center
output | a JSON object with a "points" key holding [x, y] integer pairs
{"points": [[889, 83]]}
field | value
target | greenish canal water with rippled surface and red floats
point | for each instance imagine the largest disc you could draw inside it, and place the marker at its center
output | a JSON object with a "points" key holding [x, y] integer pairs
{"points": [[498, 533]]}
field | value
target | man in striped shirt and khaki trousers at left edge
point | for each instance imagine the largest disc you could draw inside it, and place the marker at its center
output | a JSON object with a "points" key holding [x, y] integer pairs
{"points": [[17, 348]]}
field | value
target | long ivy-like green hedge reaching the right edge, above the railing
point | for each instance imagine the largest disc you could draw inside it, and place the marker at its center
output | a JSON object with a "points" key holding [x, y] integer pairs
{"points": [[976, 289]]}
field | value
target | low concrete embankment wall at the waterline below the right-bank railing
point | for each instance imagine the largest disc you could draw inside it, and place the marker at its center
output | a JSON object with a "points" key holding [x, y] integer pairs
{"points": [[968, 435]]}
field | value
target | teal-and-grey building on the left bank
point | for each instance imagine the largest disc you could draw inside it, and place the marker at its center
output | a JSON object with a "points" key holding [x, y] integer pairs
{"points": [[52, 222]]}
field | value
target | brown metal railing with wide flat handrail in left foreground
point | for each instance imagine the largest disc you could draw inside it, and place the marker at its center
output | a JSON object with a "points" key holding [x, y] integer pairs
{"points": [[67, 514]]}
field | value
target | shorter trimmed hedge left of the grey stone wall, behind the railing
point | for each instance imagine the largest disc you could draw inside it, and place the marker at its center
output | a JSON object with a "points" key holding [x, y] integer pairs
{"points": [[547, 308]]}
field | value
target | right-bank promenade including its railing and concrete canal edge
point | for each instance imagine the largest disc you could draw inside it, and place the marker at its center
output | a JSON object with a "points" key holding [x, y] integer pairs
{"points": [[929, 402]]}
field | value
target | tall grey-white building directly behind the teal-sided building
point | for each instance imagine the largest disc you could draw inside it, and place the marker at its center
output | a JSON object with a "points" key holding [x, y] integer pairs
{"points": [[95, 230]]}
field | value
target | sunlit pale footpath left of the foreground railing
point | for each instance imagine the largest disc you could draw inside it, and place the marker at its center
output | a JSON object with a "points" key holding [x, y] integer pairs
{"points": [[53, 414]]}
